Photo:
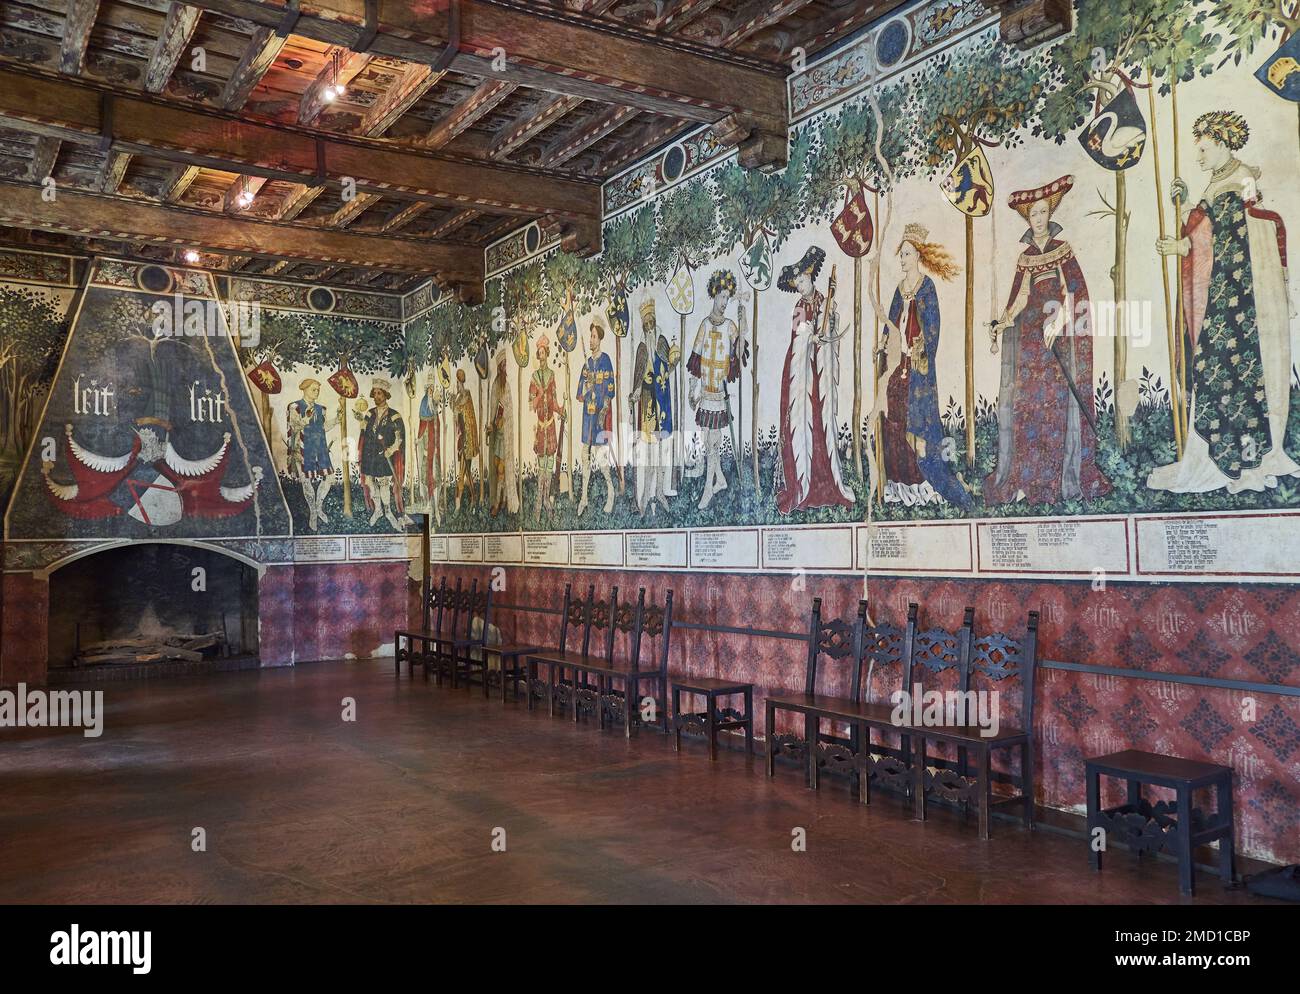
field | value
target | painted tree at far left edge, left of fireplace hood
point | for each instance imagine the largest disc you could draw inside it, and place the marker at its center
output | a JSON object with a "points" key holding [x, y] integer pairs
{"points": [[32, 338]]}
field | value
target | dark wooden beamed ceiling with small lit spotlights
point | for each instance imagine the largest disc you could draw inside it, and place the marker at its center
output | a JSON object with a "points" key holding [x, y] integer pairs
{"points": [[307, 142]]}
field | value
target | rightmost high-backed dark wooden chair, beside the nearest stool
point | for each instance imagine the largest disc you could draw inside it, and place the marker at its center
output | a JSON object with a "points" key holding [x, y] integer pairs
{"points": [[985, 661]]}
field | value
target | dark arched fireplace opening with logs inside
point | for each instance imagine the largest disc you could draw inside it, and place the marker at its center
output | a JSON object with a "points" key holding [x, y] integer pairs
{"points": [[172, 607]]}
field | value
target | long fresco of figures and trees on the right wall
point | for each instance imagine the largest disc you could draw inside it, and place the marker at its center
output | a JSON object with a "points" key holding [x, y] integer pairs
{"points": [[993, 285]]}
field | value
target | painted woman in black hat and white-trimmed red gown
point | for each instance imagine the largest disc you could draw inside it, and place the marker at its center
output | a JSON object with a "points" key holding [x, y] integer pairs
{"points": [[809, 472]]}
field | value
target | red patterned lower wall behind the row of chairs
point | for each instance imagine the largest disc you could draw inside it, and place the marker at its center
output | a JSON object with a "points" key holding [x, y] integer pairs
{"points": [[1245, 633]]}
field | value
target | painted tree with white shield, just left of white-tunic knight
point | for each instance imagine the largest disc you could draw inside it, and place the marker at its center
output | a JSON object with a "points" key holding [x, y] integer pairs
{"points": [[687, 240]]}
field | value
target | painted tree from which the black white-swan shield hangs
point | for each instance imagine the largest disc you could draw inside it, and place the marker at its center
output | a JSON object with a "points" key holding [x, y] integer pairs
{"points": [[1113, 45]]}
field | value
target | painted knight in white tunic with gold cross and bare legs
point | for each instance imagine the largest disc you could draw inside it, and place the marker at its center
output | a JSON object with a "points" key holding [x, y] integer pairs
{"points": [[714, 363]]}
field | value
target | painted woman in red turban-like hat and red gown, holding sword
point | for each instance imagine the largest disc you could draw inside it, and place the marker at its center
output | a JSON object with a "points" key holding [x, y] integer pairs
{"points": [[1047, 437]]}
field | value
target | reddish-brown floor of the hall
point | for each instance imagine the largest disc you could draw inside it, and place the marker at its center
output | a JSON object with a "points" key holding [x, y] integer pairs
{"points": [[401, 806]]}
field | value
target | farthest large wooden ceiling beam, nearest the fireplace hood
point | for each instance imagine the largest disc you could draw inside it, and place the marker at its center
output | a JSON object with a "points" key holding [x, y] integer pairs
{"points": [[98, 216]]}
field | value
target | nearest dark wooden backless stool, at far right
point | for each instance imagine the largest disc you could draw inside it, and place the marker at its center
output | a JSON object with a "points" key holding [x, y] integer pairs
{"points": [[1180, 828]]}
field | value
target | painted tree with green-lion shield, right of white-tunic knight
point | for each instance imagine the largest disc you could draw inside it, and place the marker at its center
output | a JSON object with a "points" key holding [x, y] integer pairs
{"points": [[759, 212]]}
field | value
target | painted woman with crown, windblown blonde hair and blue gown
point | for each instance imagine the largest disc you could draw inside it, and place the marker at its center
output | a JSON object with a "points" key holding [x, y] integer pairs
{"points": [[916, 471]]}
